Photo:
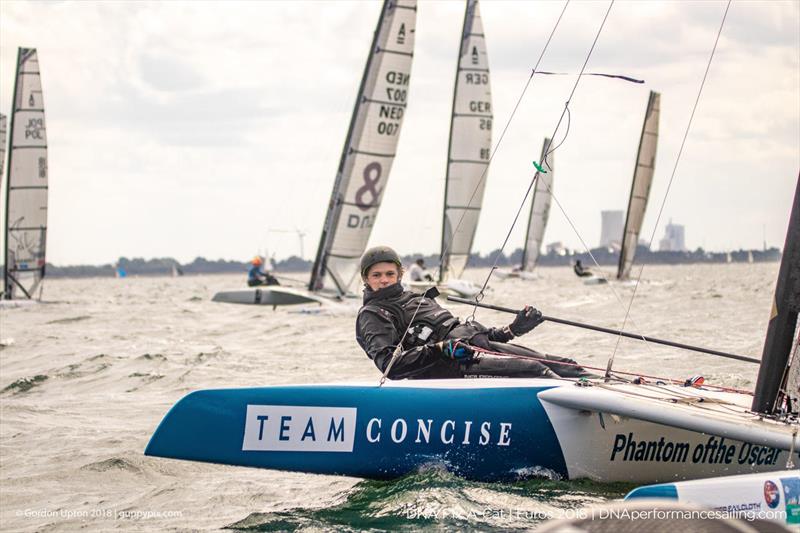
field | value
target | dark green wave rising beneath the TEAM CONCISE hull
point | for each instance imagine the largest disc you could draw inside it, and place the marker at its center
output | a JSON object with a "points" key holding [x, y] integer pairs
{"points": [[433, 498]]}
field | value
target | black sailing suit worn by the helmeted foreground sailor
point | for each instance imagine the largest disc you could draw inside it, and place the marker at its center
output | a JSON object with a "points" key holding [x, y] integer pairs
{"points": [[386, 315]]}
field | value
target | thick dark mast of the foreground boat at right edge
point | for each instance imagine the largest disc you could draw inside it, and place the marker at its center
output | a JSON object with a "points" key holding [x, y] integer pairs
{"points": [[772, 374]]}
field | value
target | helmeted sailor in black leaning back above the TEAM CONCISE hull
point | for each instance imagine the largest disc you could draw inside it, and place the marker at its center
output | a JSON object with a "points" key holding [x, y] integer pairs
{"points": [[435, 344]]}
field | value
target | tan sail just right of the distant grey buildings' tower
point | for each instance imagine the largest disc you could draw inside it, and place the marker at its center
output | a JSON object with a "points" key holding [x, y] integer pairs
{"points": [[640, 188]]}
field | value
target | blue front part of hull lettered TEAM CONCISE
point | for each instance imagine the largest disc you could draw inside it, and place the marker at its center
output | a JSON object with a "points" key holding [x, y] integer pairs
{"points": [[365, 431]]}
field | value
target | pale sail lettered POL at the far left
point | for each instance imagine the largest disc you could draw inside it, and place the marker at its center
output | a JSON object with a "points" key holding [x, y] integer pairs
{"points": [[26, 192]]}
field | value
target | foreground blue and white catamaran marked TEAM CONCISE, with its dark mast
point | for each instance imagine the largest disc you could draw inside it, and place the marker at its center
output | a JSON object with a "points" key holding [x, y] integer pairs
{"points": [[612, 429]]}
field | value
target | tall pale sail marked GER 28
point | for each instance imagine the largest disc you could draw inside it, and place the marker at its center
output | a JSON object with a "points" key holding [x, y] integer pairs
{"points": [[470, 146]]}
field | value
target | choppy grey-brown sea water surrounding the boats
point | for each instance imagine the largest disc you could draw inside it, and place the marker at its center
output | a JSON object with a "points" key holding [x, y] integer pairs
{"points": [[86, 378]]}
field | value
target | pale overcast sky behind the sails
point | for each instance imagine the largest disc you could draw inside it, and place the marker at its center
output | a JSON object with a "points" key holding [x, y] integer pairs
{"points": [[214, 129]]}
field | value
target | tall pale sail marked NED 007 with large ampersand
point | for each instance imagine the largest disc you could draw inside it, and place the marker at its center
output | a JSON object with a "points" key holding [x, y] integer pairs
{"points": [[369, 150]]}
